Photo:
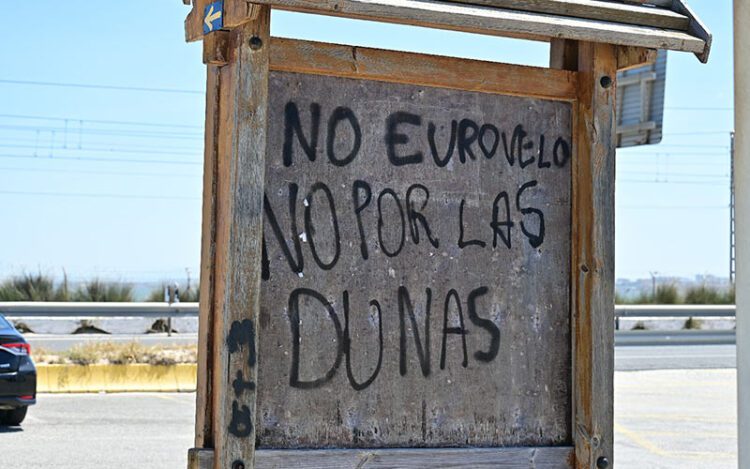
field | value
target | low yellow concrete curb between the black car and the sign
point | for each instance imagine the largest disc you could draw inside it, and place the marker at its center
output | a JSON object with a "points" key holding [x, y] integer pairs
{"points": [[116, 378]]}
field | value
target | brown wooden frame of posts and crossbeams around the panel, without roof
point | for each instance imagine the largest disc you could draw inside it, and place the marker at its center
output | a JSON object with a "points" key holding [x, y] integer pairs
{"points": [[235, 148]]}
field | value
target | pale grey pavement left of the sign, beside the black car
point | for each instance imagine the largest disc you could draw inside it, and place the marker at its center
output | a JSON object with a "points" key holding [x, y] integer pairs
{"points": [[102, 431]]}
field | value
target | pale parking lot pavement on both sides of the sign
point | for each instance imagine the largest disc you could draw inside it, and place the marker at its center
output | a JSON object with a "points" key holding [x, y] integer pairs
{"points": [[663, 419]]}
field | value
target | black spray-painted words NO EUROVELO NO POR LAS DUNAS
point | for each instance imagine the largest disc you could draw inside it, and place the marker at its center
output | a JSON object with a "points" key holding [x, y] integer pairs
{"points": [[398, 218]]}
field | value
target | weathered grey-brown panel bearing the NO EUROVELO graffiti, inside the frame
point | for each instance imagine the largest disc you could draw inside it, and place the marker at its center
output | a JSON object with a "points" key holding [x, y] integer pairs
{"points": [[458, 254]]}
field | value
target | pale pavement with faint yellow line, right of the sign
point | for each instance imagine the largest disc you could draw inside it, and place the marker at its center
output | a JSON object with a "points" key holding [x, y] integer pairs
{"points": [[676, 419]]}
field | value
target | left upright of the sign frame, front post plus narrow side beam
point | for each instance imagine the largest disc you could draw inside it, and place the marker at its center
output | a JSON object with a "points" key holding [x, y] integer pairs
{"points": [[230, 265]]}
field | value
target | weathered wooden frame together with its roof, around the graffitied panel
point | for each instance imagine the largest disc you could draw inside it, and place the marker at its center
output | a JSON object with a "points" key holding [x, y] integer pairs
{"points": [[590, 41]]}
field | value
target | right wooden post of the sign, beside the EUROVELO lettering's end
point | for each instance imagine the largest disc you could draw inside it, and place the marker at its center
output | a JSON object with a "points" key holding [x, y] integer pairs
{"points": [[592, 285]]}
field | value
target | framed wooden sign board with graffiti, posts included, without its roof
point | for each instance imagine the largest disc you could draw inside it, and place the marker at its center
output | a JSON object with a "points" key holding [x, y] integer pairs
{"points": [[404, 254]]}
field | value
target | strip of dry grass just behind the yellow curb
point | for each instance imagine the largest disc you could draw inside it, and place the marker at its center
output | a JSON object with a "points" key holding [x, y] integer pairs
{"points": [[119, 354]]}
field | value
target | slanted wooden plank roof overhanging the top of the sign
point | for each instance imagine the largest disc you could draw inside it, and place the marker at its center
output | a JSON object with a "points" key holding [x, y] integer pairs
{"points": [[654, 24]]}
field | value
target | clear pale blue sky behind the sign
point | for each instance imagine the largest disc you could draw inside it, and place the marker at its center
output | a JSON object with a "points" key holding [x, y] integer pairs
{"points": [[102, 181]]}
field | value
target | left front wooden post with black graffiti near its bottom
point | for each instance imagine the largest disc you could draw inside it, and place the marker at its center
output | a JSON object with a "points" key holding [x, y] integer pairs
{"points": [[238, 211]]}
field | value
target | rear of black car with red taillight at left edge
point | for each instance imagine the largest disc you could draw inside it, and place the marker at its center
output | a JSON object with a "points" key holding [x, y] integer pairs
{"points": [[17, 375]]}
